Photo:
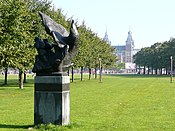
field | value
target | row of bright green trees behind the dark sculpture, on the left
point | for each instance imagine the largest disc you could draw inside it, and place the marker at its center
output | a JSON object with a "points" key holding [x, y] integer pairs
{"points": [[20, 24]]}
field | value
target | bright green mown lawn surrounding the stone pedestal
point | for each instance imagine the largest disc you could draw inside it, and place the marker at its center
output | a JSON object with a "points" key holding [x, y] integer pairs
{"points": [[119, 103]]}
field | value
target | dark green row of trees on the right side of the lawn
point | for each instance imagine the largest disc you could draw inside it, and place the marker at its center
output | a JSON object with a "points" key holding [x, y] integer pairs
{"points": [[156, 57]]}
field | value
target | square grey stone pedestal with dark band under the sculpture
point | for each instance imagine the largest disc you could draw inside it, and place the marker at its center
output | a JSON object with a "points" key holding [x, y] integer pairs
{"points": [[52, 99]]}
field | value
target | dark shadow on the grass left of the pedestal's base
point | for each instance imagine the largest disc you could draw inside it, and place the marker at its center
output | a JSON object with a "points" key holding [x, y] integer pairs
{"points": [[6, 126]]}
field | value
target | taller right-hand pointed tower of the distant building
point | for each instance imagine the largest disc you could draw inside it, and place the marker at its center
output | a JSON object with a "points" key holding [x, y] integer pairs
{"points": [[129, 48]]}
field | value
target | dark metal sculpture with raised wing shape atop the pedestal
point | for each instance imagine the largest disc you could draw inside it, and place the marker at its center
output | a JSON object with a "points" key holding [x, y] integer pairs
{"points": [[55, 57]]}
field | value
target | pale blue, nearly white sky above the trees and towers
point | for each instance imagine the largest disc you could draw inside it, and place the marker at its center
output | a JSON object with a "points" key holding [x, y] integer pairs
{"points": [[150, 21]]}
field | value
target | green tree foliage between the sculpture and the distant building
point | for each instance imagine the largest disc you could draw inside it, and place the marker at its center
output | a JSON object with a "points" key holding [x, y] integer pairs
{"points": [[91, 48]]}
